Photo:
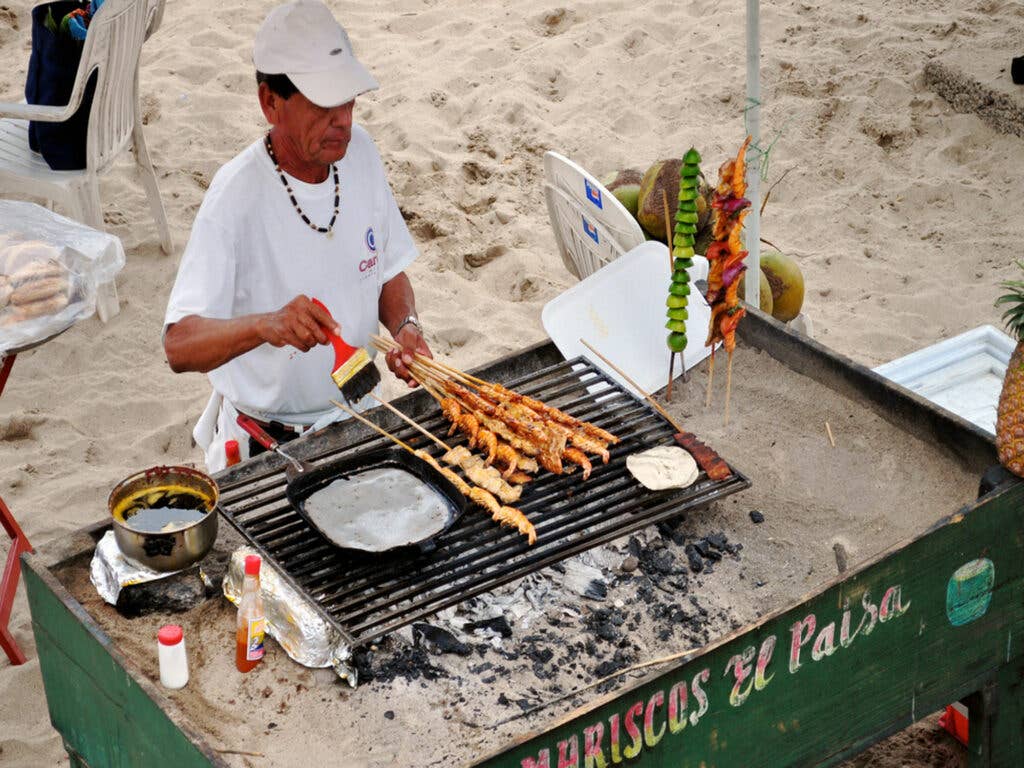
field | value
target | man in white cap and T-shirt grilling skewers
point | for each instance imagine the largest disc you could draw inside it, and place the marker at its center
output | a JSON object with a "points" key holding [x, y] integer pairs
{"points": [[306, 212]]}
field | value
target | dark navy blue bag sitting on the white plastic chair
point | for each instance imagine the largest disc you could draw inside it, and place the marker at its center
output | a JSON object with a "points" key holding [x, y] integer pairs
{"points": [[53, 68]]}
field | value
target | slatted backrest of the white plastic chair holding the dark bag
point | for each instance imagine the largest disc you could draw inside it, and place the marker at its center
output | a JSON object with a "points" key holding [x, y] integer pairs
{"points": [[112, 49]]}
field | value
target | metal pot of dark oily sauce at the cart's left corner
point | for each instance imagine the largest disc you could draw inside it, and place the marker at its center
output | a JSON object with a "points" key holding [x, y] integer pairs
{"points": [[165, 551]]}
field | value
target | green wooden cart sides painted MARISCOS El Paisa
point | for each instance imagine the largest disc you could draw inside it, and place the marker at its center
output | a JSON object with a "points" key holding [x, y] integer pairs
{"points": [[802, 687]]}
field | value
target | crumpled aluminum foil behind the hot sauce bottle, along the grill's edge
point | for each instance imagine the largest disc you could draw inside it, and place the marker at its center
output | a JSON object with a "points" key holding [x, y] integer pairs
{"points": [[292, 621]]}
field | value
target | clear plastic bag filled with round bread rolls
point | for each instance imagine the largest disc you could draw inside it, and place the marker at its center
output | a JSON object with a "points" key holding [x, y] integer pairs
{"points": [[51, 271]]}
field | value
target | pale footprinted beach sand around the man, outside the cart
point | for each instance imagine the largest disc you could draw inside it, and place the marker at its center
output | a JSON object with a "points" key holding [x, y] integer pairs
{"points": [[904, 214]]}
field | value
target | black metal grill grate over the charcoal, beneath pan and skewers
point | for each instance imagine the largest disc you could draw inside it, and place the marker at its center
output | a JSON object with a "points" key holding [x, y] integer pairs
{"points": [[365, 598]]}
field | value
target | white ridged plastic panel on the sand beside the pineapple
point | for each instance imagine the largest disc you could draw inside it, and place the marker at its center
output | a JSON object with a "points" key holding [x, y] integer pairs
{"points": [[963, 374]]}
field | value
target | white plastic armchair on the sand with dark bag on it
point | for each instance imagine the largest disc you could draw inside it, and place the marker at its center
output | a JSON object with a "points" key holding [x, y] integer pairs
{"points": [[112, 47]]}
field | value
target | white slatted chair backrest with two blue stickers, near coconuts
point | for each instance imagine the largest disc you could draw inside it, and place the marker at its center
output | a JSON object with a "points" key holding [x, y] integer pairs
{"points": [[591, 227]]}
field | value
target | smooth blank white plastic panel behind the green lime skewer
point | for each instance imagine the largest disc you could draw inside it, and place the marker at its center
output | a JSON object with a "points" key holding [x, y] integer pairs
{"points": [[620, 311]]}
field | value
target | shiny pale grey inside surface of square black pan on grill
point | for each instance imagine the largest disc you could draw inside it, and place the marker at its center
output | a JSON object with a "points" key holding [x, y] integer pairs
{"points": [[378, 509]]}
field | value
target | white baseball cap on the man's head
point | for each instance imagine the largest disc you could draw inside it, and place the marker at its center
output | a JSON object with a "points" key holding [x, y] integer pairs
{"points": [[305, 41]]}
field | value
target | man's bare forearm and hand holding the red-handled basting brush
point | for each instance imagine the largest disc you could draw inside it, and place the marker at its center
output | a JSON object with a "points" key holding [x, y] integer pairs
{"points": [[201, 345]]}
